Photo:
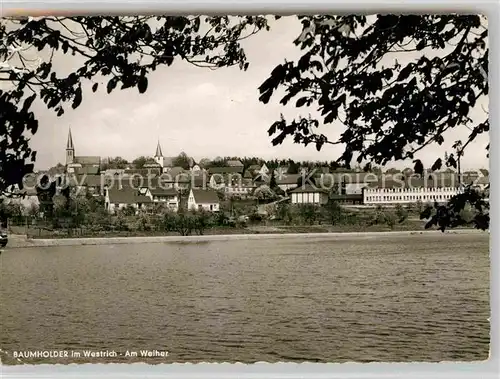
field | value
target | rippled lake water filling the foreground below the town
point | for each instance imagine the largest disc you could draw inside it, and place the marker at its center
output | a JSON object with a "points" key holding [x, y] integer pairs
{"points": [[397, 298]]}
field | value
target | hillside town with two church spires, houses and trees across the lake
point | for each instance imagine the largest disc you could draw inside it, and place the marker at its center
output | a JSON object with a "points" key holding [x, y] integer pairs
{"points": [[231, 186]]}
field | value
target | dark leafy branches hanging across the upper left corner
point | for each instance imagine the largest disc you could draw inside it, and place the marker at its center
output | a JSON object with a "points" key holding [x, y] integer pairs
{"points": [[121, 51]]}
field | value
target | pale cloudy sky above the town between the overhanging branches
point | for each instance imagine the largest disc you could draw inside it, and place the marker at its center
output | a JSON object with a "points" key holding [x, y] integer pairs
{"points": [[202, 112]]}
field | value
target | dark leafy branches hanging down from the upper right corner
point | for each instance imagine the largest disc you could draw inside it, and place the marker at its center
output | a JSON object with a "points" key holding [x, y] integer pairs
{"points": [[349, 74]]}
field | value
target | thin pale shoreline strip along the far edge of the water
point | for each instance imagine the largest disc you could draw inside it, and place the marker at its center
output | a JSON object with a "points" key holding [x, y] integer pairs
{"points": [[22, 241]]}
